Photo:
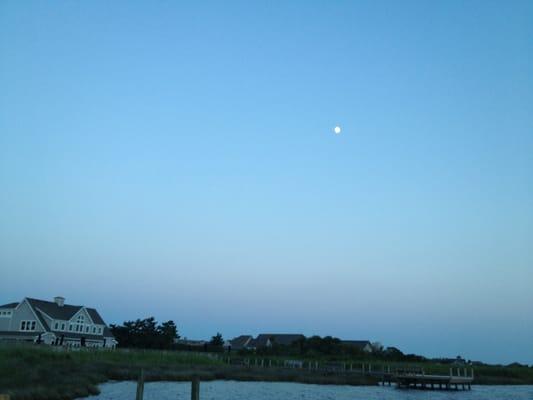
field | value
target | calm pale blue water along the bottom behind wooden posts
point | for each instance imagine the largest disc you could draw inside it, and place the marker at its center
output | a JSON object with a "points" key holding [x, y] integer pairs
{"points": [[230, 390]]}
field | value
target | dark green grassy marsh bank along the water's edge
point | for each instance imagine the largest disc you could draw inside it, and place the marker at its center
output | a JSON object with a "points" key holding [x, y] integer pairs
{"points": [[45, 373]]}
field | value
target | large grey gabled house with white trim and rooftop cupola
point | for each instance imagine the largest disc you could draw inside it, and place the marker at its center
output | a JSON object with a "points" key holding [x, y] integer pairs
{"points": [[54, 323]]}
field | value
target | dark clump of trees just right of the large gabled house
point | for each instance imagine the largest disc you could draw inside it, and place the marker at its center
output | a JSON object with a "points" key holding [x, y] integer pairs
{"points": [[146, 334]]}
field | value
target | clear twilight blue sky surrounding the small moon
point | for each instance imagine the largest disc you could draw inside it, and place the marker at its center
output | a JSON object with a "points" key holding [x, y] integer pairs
{"points": [[178, 160]]}
